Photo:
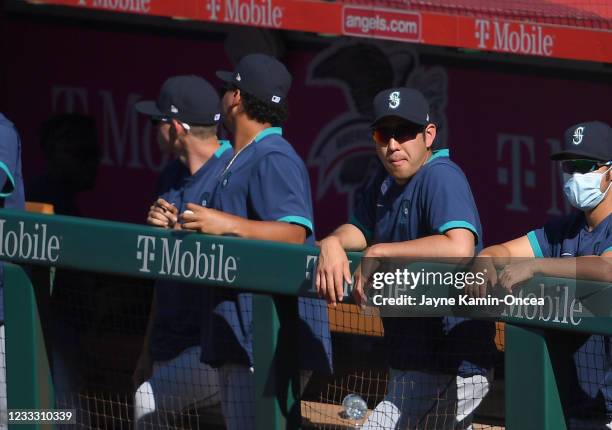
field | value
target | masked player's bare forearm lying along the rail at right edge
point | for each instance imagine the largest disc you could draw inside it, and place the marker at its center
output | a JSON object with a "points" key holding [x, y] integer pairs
{"points": [[591, 268]]}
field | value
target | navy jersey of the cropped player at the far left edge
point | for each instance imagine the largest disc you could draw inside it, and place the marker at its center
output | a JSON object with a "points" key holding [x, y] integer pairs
{"points": [[11, 181]]}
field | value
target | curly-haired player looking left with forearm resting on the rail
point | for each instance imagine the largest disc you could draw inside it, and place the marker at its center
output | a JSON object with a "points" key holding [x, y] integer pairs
{"points": [[263, 193]]}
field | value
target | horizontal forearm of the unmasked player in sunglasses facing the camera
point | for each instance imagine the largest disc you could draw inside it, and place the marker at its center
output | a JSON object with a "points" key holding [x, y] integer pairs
{"points": [[439, 246]]}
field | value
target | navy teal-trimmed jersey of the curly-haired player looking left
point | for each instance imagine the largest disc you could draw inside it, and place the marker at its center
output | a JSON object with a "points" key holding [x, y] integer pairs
{"points": [[266, 182]]}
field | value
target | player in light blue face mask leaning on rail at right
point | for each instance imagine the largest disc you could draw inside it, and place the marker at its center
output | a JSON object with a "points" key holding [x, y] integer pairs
{"points": [[572, 246]]}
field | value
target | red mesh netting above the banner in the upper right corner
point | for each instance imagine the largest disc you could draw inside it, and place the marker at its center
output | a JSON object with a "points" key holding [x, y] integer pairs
{"points": [[580, 13]]}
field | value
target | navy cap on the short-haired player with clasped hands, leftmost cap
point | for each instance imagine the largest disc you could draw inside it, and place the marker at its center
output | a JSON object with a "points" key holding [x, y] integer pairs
{"points": [[190, 99]]}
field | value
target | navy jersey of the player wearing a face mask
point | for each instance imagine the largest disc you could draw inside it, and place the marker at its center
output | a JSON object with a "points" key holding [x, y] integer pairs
{"points": [[591, 368]]}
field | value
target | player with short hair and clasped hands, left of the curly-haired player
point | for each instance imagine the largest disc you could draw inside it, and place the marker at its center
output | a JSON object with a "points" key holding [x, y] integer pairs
{"points": [[169, 375]]}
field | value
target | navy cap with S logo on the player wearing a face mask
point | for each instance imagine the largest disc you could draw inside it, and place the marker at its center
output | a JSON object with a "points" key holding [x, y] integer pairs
{"points": [[587, 140]]}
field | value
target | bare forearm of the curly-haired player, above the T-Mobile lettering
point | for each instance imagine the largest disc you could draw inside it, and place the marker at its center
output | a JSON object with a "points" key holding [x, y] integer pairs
{"points": [[268, 230]]}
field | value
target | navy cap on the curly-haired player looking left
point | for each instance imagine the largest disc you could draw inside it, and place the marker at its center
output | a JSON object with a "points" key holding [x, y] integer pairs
{"points": [[262, 76]]}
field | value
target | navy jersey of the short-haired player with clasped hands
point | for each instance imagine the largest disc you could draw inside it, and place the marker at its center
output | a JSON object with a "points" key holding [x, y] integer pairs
{"points": [[176, 325]]}
